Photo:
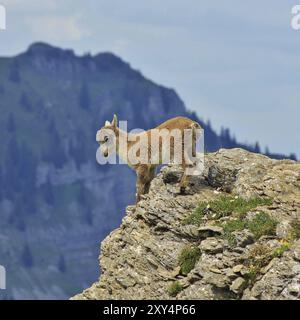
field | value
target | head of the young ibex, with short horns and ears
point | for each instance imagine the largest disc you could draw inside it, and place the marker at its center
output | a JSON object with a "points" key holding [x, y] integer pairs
{"points": [[107, 137]]}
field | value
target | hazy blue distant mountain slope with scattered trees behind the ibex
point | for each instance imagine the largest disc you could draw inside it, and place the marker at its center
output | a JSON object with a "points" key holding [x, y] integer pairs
{"points": [[55, 201]]}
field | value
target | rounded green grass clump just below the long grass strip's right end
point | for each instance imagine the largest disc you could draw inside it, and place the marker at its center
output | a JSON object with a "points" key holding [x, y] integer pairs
{"points": [[262, 224]]}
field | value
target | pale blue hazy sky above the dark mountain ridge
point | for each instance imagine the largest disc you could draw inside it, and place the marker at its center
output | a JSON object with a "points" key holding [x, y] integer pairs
{"points": [[235, 63]]}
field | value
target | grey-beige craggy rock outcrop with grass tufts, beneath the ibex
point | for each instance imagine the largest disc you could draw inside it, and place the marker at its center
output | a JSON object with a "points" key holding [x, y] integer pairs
{"points": [[234, 236]]}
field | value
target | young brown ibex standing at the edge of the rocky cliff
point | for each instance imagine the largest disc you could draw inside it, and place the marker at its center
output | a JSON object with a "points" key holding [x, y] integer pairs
{"points": [[111, 138]]}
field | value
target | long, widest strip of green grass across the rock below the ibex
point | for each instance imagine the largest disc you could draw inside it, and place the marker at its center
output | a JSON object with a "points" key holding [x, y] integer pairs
{"points": [[225, 206]]}
